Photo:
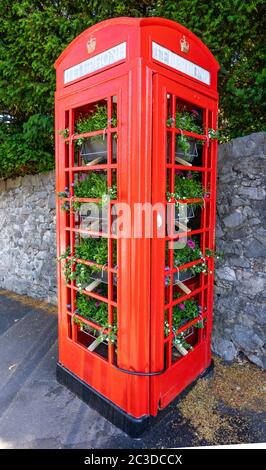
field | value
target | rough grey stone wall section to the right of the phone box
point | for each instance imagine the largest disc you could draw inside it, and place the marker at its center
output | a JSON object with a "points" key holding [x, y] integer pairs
{"points": [[240, 304]]}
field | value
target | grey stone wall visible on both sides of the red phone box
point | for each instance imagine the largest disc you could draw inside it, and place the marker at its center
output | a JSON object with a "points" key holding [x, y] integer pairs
{"points": [[27, 237]]}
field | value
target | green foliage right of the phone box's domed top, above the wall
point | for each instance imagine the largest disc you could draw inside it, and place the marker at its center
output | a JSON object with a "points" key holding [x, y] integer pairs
{"points": [[233, 31]]}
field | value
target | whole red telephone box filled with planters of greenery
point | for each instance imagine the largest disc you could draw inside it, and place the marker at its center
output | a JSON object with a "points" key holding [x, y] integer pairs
{"points": [[136, 110]]}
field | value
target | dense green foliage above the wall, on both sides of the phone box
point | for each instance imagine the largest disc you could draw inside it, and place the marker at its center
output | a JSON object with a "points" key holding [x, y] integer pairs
{"points": [[33, 34]]}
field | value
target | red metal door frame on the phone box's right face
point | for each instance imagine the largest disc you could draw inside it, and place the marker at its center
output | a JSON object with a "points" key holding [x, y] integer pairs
{"points": [[165, 387]]}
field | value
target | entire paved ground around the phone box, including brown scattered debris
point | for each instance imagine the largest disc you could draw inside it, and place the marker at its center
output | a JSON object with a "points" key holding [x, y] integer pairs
{"points": [[37, 412]]}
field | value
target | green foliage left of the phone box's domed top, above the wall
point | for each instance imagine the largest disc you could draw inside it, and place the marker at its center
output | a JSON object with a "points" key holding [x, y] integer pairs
{"points": [[33, 34]]}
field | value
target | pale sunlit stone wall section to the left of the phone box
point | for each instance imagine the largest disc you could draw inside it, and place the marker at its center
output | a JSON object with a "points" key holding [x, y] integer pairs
{"points": [[27, 236]]}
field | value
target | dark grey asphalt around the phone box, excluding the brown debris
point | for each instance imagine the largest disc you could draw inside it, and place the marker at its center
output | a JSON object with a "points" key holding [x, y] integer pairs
{"points": [[37, 412]]}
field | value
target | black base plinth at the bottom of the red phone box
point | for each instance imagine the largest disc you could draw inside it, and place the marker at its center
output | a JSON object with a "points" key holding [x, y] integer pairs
{"points": [[134, 427]]}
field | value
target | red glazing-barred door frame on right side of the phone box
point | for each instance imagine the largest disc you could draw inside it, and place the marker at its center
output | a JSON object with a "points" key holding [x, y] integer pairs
{"points": [[182, 372]]}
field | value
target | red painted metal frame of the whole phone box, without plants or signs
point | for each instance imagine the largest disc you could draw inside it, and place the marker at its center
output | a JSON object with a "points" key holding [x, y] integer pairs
{"points": [[140, 84]]}
